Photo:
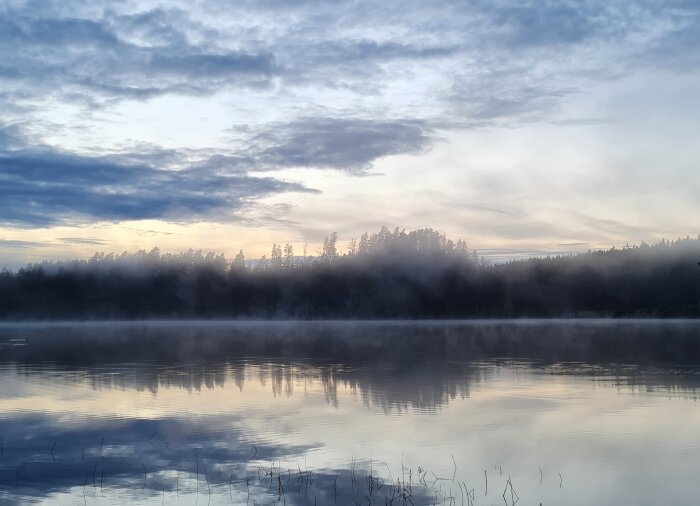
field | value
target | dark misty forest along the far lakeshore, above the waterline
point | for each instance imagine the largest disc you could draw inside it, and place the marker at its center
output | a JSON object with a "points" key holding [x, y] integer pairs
{"points": [[388, 274]]}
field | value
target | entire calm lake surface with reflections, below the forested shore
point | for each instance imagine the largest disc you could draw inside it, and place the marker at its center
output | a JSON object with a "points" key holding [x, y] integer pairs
{"points": [[351, 413]]}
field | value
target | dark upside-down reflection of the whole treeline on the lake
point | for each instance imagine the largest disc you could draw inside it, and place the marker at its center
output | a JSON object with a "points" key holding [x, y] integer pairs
{"points": [[390, 365]]}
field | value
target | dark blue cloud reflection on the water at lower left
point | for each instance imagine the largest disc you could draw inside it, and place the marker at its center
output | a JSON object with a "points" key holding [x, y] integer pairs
{"points": [[138, 459]]}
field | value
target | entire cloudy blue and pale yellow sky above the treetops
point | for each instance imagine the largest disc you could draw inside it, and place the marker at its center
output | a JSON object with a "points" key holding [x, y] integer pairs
{"points": [[522, 127]]}
